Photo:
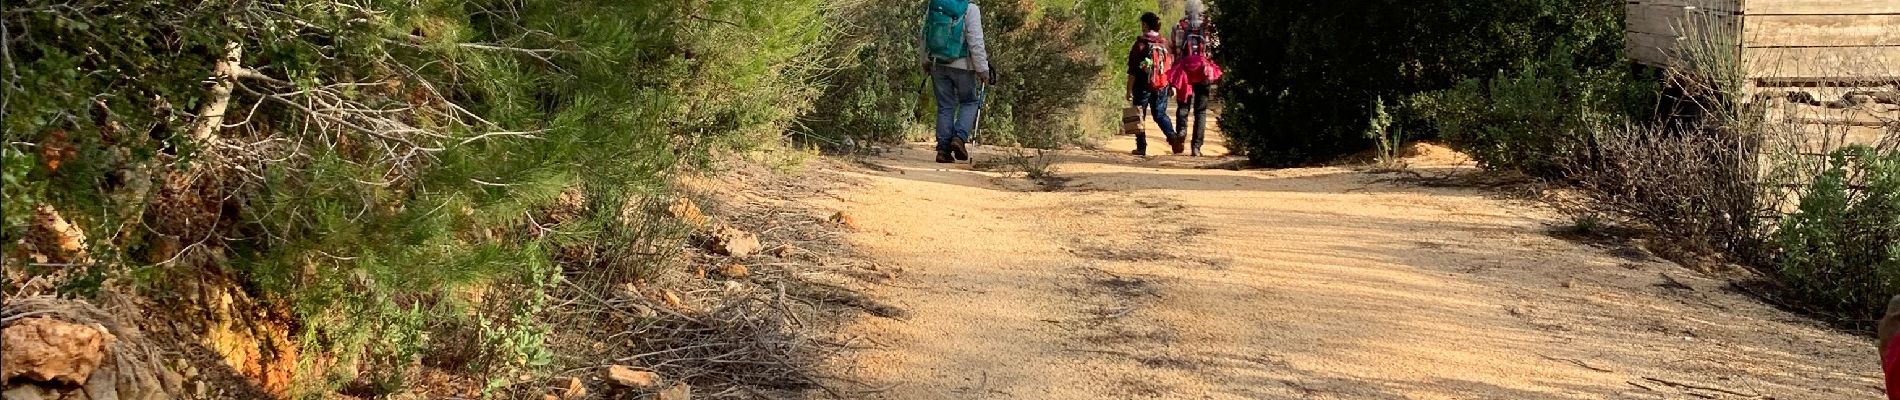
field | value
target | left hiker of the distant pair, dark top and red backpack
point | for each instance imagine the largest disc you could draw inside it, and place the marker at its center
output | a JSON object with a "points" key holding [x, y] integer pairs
{"points": [[1150, 62]]}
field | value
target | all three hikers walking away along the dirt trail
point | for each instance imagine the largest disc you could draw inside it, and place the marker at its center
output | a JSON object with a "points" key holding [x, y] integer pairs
{"points": [[1160, 67]]}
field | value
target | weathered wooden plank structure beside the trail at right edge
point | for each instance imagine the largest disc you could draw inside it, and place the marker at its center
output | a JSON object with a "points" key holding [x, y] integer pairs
{"points": [[1825, 73]]}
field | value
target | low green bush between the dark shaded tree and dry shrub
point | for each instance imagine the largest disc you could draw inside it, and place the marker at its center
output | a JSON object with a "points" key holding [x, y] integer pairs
{"points": [[1529, 120]]}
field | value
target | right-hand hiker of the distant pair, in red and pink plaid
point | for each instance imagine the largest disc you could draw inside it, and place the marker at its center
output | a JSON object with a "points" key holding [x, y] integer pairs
{"points": [[1194, 41]]}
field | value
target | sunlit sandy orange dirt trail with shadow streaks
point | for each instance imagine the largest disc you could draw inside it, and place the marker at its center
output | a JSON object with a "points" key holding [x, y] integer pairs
{"points": [[1156, 280]]}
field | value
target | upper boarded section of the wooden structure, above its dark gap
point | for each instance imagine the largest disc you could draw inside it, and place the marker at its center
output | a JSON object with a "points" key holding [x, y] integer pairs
{"points": [[1779, 43]]}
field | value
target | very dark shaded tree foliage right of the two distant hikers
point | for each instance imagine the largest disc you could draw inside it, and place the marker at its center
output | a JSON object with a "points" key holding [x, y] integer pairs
{"points": [[1301, 73]]}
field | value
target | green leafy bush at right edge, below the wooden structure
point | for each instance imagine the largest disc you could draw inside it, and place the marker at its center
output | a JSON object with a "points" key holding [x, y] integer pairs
{"points": [[1842, 251]]}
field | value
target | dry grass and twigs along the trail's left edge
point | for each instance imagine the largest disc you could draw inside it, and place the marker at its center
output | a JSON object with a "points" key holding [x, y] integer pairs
{"points": [[753, 336]]}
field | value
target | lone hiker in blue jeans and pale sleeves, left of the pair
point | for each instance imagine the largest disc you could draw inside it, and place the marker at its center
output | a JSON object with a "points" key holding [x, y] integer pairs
{"points": [[957, 81]]}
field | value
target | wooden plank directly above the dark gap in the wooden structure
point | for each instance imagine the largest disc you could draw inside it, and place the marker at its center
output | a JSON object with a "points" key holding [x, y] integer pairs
{"points": [[1823, 64]]}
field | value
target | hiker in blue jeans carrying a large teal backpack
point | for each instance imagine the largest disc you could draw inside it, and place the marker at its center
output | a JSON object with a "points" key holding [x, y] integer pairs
{"points": [[957, 60]]}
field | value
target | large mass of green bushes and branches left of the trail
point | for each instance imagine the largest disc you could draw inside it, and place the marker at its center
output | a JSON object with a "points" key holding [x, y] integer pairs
{"points": [[404, 168]]}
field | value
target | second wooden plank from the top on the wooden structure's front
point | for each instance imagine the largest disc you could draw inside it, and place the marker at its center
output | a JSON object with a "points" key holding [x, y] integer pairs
{"points": [[1810, 31]]}
